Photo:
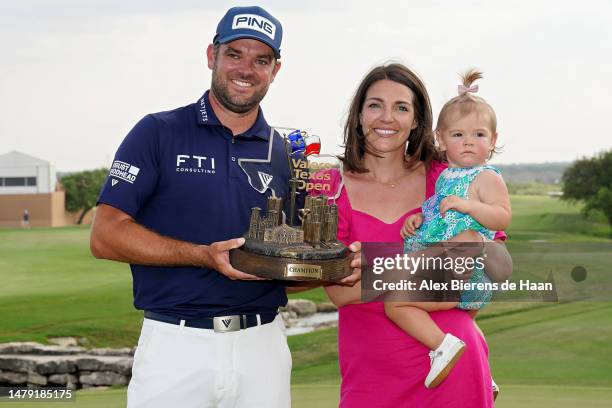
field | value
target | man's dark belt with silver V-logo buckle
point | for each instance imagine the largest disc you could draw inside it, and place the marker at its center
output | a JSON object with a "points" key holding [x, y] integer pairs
{"points": [[219, 324]]}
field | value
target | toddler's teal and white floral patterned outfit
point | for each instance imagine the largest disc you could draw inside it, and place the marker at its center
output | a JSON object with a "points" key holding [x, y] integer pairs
{"points": [[435, 228]]}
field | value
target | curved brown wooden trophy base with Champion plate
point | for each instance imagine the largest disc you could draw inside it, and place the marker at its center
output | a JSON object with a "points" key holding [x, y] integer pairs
{"points": [[293, 268]]}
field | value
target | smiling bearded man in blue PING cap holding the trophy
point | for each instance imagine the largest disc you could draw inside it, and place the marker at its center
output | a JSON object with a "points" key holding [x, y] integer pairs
{"points": [[176, 197]]}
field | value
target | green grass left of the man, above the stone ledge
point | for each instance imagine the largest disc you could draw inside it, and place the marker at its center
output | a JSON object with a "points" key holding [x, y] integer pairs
{"points": [[52, 286]]}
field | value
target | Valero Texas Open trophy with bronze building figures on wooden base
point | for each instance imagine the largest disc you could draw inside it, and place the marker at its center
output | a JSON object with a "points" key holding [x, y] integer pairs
{"points": [[304, 248]]}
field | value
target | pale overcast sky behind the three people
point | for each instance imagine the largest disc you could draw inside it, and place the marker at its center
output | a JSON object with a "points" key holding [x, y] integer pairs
{"points": [[75, 76]]}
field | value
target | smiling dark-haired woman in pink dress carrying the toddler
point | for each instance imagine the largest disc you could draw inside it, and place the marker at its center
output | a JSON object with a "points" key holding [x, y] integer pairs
{"points": [[390, 167]]}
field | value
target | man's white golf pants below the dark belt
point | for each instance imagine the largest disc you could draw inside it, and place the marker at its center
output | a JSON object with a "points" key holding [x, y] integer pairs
{"points": [[184, 367]]}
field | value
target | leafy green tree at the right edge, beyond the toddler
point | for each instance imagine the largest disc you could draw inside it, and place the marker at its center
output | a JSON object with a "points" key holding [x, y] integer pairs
{"points": [[590, 180]]}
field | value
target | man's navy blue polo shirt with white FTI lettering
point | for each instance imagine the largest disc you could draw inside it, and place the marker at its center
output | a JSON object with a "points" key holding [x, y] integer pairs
{"points": [[183, 175]]}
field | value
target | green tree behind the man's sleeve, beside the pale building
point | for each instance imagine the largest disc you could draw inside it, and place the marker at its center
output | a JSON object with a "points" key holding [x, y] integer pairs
{"points": [[82, 190]]}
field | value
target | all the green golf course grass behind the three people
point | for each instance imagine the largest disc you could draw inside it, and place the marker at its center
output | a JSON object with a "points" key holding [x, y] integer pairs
{"points": [[542, 354]]}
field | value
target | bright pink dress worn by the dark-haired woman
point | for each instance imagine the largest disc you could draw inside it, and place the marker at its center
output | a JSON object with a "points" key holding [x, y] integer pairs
{"points": [[381, 366]]}
